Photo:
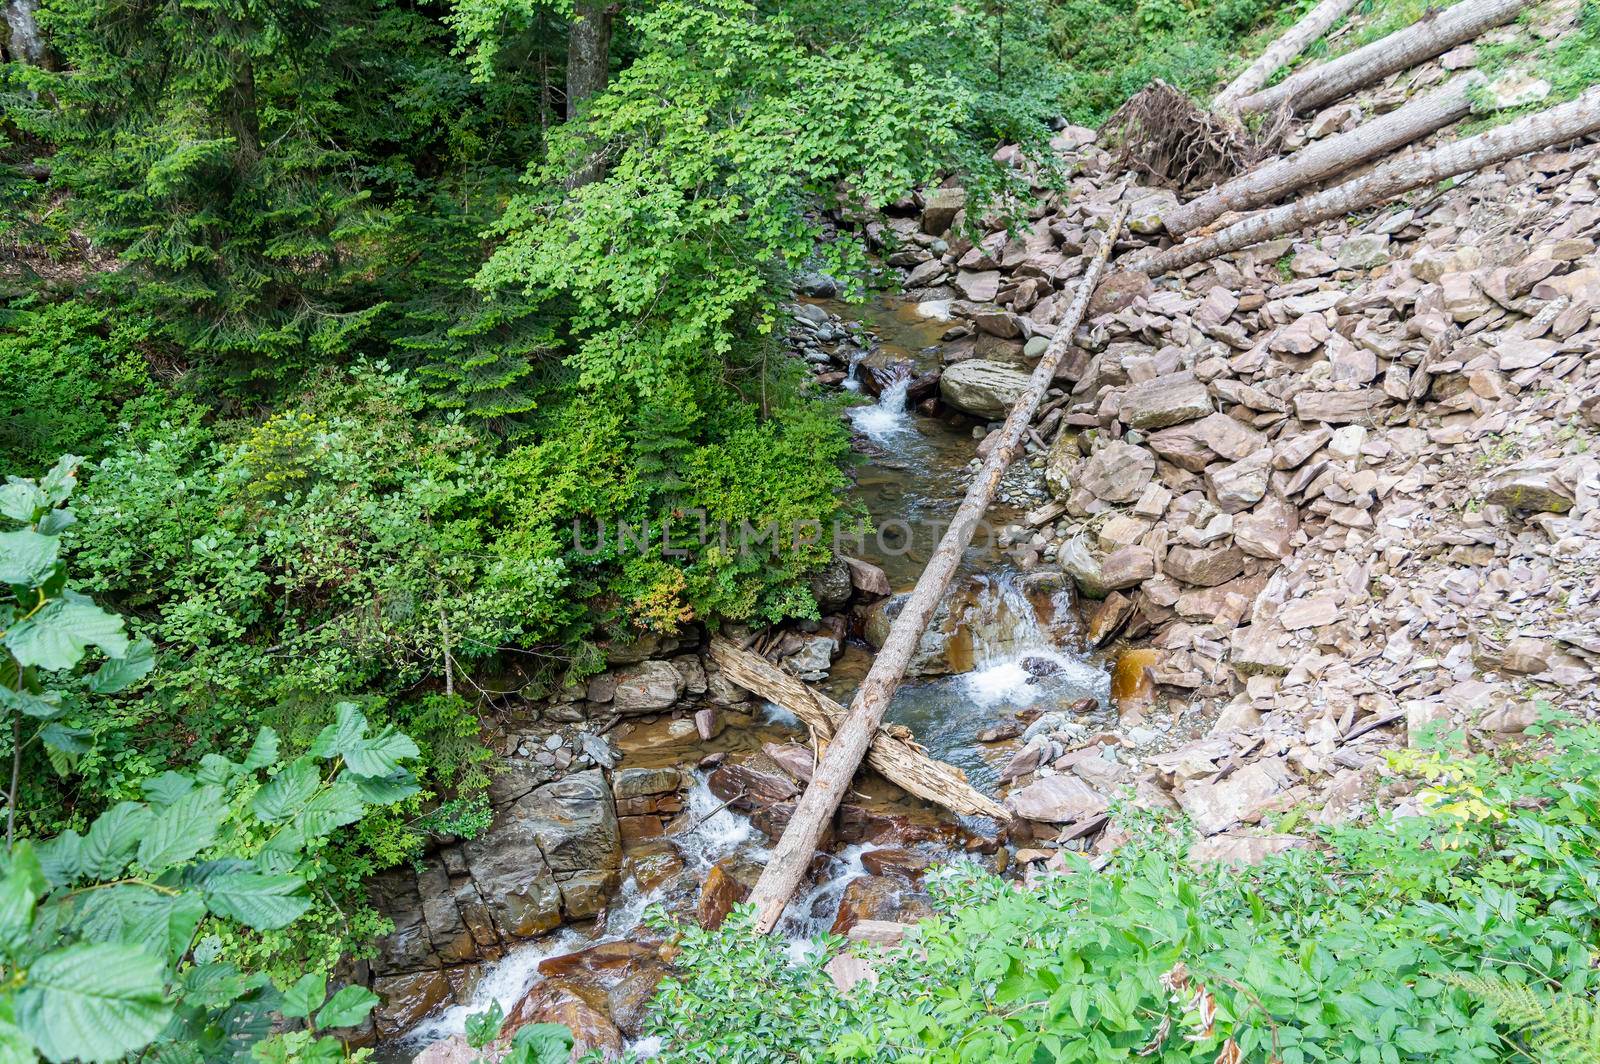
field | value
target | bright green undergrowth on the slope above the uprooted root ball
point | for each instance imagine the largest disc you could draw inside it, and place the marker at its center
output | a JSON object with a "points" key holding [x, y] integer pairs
{"points": [[1113, 49]]}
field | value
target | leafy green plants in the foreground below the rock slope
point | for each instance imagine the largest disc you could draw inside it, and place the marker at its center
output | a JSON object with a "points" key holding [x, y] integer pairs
{"points": [[1462, 935]]}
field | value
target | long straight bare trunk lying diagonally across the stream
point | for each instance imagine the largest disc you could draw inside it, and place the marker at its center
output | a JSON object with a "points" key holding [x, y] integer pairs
{"points": [[794, 850]]}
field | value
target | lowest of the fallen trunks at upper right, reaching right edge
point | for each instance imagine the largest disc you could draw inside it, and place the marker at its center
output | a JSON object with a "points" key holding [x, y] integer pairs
{"points": [[1556, 126]]}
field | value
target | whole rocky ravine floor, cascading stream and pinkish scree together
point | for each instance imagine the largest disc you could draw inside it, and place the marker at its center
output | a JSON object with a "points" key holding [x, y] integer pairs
{"points": [[1279, 514]]}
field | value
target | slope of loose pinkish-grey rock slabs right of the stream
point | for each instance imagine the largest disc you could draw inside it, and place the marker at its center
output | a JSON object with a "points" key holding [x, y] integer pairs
{"points": [[1348, 484]]}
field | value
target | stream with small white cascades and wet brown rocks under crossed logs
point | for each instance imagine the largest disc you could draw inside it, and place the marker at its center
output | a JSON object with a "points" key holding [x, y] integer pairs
{"points": [[676, 802]]}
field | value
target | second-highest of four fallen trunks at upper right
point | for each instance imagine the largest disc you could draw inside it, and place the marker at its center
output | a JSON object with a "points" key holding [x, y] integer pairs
{"points": [[1401, 50]]}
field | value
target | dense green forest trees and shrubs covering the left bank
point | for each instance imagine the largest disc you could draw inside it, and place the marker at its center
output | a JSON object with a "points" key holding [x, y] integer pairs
{"points": [[354, 311]]}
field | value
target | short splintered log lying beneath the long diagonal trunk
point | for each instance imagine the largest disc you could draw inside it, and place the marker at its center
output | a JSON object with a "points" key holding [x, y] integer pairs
{"points": [[895, 759]]}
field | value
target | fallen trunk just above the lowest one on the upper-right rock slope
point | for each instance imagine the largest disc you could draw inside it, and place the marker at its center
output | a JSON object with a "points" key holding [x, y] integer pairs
{"points": [[1327, 158]]}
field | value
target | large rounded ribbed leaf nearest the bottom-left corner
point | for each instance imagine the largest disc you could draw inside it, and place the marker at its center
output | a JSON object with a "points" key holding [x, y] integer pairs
{"points": [[94, 1002]]}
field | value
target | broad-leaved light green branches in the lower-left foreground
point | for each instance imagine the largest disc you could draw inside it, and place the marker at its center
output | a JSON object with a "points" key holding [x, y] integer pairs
{"points": [[111, 938]]}
